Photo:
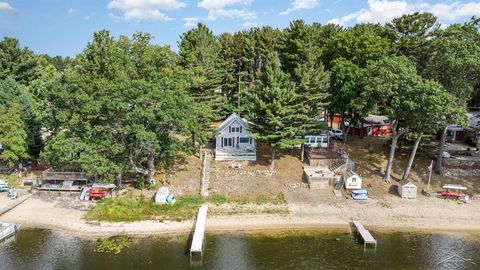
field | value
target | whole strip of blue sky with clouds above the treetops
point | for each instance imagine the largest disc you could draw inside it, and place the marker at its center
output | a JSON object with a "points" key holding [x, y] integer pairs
{"points": [[63, 27]]}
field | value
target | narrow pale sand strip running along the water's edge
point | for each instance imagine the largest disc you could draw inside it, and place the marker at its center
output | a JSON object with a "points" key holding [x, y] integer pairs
{"points": [[47, 214]]}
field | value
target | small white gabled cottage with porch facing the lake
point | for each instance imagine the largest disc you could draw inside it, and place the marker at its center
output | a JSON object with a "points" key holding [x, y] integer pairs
{"points": [[233, 140]]}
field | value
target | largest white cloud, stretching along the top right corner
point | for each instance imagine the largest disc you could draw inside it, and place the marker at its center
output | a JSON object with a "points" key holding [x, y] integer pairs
{"points": [[382, 11]]}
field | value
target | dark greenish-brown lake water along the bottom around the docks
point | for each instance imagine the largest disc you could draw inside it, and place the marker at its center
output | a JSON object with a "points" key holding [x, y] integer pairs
{"points": [[43, 249]]}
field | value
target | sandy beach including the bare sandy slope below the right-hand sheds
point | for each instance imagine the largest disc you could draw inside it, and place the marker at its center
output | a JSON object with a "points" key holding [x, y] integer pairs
{"points": [[307, 210]]}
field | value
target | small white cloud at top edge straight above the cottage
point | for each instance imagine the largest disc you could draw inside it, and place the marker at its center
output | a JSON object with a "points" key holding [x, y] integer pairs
{"points": [[218, 9]]}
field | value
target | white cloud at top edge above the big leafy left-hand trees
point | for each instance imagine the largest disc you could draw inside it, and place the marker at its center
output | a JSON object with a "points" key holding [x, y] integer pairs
{"points": [[145, 9]]}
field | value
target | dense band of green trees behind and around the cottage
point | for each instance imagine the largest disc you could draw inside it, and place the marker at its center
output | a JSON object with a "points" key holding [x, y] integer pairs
{"points": [[127, 105]]}
